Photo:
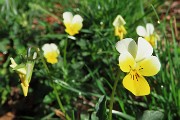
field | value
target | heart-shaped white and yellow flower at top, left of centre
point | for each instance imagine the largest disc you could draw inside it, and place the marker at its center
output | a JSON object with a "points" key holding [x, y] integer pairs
{"points": [[72, 23]]}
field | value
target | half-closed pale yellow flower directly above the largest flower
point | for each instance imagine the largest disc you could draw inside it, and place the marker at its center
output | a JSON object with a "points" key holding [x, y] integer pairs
{"points": [[119, 26]]}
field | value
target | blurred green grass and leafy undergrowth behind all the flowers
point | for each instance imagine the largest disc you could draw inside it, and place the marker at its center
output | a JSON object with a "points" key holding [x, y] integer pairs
{"points": [[92, 60]]}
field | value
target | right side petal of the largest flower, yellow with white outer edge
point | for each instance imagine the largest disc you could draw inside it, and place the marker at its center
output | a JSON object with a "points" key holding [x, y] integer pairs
{"points": [[149, 66]]}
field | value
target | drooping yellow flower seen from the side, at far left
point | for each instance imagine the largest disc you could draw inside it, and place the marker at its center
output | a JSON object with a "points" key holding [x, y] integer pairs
{"points": [[25, 73]]}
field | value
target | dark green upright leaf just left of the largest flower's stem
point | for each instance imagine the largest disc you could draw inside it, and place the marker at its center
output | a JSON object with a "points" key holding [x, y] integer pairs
{"points": [[101, 108]]}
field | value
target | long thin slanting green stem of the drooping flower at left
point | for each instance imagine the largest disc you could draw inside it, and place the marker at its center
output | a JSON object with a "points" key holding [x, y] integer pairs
{"points": [[54, 87]]}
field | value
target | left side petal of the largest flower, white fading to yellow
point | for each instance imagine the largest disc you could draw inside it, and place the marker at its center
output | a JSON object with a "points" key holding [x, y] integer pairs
{"points": [[126, 62]]}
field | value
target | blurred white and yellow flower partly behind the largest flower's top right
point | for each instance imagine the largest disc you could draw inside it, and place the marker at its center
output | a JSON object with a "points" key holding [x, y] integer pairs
{"points": [[148, 33]]}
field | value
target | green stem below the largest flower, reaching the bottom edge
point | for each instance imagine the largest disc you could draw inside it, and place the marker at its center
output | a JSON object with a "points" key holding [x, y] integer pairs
{"points": [[112, 99]]}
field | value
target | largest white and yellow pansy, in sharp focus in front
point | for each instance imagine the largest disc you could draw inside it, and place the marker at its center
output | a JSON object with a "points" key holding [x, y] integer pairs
{"points": [[137, 61]]}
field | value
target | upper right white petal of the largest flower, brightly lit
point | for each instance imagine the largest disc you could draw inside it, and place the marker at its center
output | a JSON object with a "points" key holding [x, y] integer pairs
{"points": [[144, 49]]}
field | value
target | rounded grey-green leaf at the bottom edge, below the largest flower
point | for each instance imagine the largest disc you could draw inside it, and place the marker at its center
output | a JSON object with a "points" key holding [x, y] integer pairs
{"points": [[152, 115]]}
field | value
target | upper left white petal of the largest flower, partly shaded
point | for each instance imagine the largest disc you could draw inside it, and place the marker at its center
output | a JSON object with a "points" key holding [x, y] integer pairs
{"points": [[127, 45]]}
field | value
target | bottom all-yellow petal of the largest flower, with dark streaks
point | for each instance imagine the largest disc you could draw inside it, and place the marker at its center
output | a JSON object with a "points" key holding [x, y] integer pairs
{"points": [[139, 86]]}
